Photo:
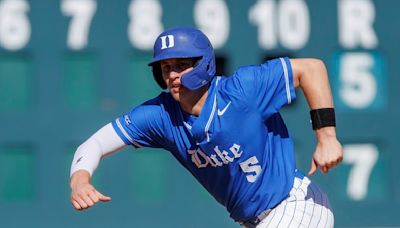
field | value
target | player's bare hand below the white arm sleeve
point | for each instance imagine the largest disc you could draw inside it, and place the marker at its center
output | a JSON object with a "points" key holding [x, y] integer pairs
{"points": [[83, 194]]}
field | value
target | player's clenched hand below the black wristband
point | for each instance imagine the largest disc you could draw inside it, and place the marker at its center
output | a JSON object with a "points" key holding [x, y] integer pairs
{"points": [[328, 152]]}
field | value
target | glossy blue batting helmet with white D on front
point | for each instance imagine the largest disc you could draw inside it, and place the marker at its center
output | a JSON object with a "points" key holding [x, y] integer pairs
{"points": [[185, 43]]}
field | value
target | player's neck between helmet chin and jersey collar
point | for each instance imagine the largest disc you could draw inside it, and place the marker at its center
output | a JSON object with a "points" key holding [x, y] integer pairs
{"points": [[193, 101]]}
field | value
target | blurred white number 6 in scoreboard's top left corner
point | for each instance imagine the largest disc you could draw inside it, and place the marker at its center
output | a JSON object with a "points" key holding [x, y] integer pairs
{"points": [[15, 29]]}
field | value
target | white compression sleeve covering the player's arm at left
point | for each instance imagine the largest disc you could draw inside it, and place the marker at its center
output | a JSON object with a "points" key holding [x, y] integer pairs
{"points": [[88, 155]]}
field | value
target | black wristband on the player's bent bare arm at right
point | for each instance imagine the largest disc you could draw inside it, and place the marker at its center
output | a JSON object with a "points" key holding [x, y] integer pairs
{"points": [[322, 117]]}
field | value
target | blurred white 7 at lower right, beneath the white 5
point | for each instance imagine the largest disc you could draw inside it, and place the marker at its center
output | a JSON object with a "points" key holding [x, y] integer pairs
{"points": [[363, 157]]}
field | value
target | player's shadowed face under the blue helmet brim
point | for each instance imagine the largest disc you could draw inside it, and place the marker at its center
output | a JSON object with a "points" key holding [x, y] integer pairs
{"points": [[172, 71]]}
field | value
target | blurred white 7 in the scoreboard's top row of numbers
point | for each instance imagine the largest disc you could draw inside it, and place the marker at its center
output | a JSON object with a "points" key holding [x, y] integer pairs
{"points": [[82, 12]]}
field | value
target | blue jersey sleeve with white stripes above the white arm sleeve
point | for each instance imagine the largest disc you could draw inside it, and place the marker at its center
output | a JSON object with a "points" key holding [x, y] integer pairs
{"points": [[141, 127]]}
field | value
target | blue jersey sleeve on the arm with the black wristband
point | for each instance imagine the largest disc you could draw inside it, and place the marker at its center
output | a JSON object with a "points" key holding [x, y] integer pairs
{"points": [[269, 86]]}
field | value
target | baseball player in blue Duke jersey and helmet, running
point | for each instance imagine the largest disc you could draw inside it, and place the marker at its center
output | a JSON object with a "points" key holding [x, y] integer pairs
{"points": [[227, 132]]}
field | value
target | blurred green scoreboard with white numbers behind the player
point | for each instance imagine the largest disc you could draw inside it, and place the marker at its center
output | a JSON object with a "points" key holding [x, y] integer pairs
{"points": [[68, 67]]}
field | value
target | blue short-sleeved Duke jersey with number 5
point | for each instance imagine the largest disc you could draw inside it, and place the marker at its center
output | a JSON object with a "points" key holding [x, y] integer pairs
{"points": [[238, 148]]}
